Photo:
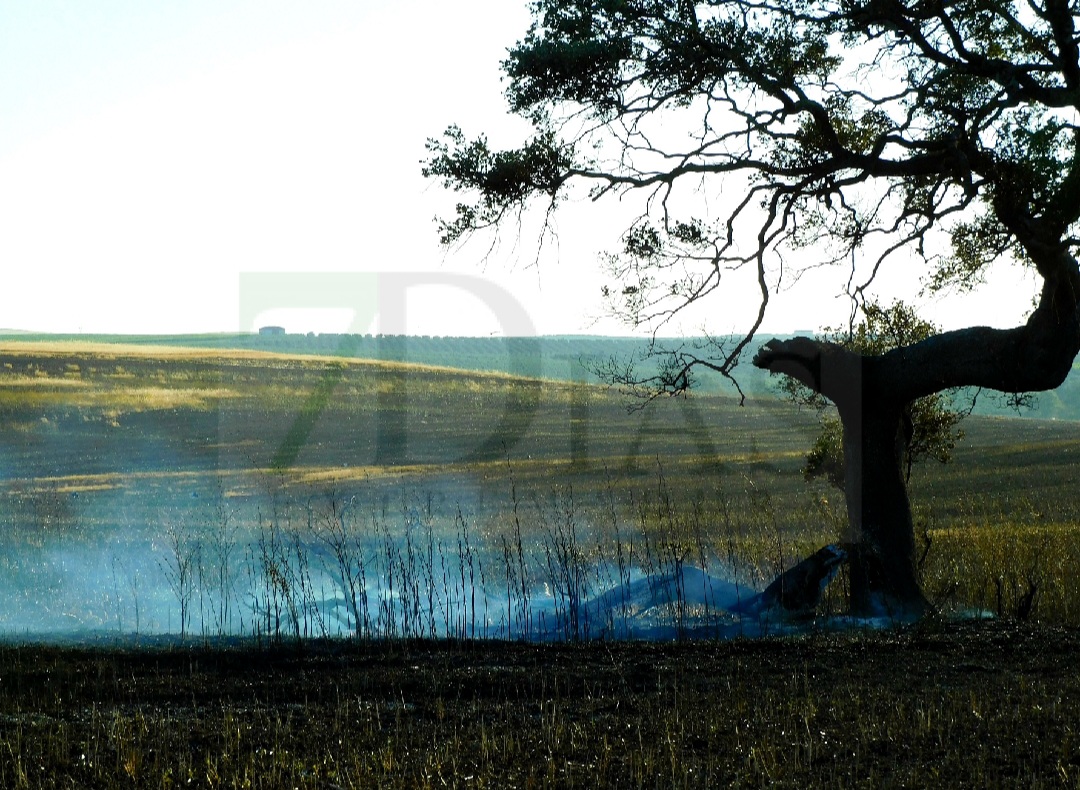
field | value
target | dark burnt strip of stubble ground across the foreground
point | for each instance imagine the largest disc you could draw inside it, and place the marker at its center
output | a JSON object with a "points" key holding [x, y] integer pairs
{"points": [[953, 705]]}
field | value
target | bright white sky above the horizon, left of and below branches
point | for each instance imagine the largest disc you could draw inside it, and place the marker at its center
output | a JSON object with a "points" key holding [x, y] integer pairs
{"points": [[221, 165]]}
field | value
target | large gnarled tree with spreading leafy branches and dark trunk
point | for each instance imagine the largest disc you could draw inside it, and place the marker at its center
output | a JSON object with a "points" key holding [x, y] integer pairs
{"points": [[858, 133]]}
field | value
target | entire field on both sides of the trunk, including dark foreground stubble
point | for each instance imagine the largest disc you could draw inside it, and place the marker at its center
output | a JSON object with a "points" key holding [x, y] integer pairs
{"points": [[235, 499]]}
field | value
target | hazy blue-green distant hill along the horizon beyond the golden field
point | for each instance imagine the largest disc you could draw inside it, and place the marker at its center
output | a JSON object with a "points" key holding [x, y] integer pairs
{"points": [[551, 357]]}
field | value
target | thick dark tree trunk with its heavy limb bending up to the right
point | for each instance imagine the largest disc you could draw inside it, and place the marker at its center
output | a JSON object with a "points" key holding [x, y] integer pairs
{"points": [[872, 394]]}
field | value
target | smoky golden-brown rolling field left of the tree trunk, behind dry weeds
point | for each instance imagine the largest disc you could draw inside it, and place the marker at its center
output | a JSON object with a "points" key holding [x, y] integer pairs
{"points": [[134, 459]]}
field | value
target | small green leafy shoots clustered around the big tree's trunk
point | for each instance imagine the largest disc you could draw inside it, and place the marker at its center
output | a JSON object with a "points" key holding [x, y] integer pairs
{"points": [[929, 423]]}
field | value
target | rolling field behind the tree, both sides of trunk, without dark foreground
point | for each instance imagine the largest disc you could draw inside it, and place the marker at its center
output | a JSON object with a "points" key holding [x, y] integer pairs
{"points": [[136, 459]]}
